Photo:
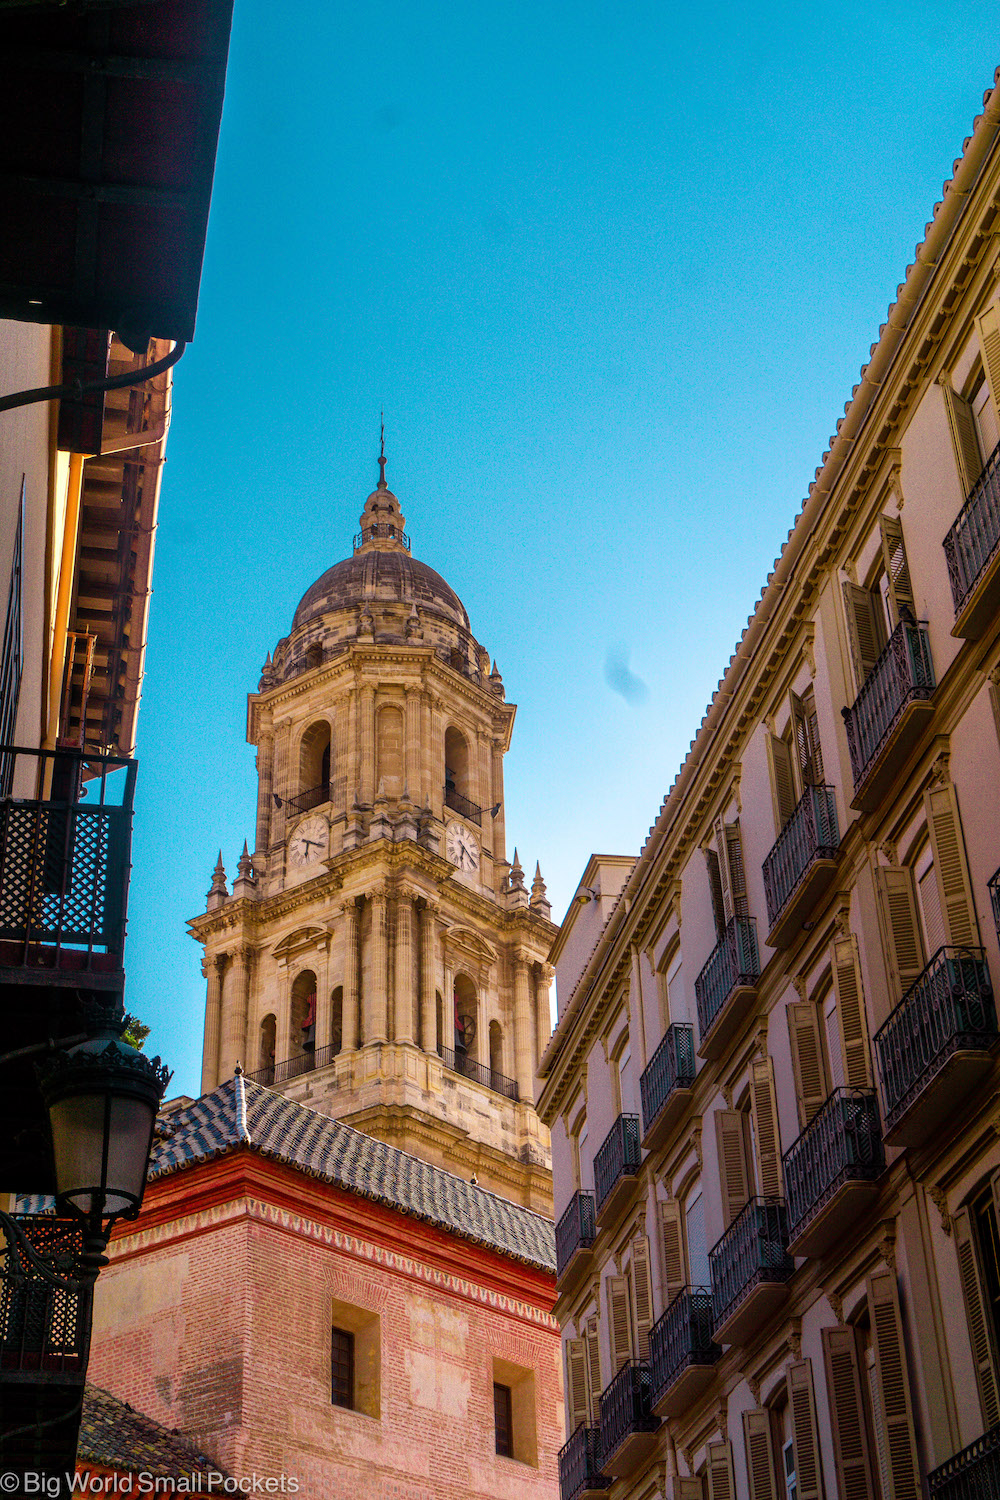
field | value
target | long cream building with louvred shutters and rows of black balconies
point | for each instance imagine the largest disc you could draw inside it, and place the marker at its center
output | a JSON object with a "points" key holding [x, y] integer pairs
{"points": [[773, 1088]]}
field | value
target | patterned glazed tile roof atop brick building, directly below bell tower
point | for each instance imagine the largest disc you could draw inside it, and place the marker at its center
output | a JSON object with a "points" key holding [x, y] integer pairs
{"points": [[241, 1115]]}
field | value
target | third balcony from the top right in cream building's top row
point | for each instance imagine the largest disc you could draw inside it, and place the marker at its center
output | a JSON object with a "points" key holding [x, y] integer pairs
{"points": [[801, 865]]}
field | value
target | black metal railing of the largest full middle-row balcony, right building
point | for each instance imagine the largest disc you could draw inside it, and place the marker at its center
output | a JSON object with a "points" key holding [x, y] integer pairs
{"points": [[950, 1007]]}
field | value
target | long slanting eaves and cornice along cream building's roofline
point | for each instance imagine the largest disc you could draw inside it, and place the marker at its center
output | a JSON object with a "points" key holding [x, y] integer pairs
{"points": [[872, 422]]}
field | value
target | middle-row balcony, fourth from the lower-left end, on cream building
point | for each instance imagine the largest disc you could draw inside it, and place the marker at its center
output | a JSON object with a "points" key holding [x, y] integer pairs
{"points": [[750, 1270]]}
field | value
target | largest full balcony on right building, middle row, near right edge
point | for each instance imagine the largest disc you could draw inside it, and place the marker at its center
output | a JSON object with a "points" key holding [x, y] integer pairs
{"points": [[938, 1043]]}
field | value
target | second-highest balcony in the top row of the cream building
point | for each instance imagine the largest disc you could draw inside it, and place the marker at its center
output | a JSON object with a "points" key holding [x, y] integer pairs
{"points": [[890, 713]]}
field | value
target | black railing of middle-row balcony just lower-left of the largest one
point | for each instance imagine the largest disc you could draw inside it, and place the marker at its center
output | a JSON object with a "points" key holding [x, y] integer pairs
{"points": [[842, 1144]]}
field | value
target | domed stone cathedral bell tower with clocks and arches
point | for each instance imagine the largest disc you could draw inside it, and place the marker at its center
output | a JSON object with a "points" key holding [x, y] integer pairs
{"points": [[379, 958]]}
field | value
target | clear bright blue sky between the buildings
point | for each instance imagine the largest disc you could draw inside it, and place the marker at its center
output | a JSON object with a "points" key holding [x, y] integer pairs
{"points": [[612, 271]]}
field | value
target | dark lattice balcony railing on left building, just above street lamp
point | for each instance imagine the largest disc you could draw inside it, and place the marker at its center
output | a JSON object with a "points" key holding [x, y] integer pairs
{"points": [[65, 839]]}
